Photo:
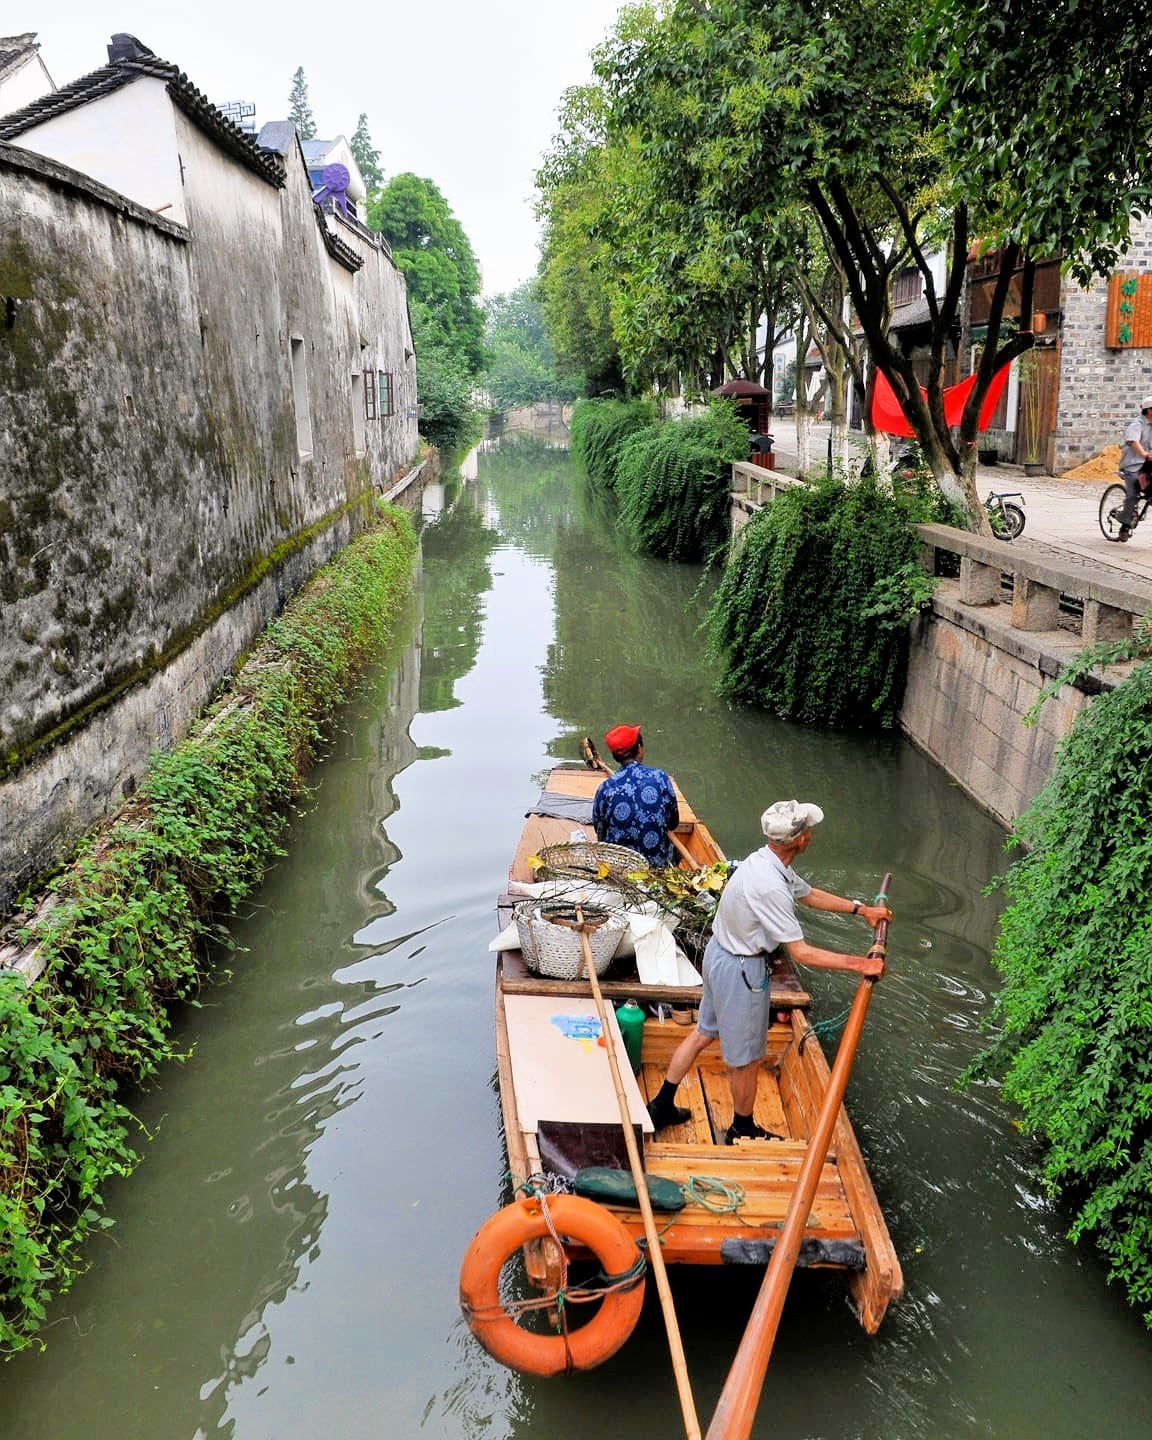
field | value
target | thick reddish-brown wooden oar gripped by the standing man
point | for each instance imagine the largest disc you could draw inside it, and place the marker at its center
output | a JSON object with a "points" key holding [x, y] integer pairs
{"points": [[737, 1409]]}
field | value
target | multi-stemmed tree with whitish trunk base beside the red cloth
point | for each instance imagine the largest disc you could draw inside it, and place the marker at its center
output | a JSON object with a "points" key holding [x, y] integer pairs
{"points": [[754, 110]]}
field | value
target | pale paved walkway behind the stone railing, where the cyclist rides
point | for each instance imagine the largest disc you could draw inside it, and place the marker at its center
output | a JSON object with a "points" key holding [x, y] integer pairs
{"points": [[1062, 513]]}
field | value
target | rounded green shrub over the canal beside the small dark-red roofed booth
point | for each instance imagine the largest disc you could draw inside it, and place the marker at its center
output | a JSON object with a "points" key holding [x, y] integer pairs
{"points": [[673, 482]]}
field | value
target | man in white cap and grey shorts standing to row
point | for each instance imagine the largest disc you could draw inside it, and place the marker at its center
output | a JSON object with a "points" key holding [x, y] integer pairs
{"points": [[754, 924]]}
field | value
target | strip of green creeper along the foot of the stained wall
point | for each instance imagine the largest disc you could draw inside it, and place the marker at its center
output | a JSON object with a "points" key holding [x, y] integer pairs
{"points": [[90, 977]]}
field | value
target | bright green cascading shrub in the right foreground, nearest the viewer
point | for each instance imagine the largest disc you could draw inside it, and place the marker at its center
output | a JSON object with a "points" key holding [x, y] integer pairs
{"points": [[1075, 950]]}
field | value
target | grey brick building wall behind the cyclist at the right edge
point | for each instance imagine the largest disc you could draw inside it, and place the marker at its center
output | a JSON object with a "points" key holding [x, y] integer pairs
{"points": [[1099, 390]]}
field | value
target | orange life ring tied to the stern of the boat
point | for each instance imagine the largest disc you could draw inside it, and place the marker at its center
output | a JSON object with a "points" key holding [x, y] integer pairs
{"points": [[574, 1219]]}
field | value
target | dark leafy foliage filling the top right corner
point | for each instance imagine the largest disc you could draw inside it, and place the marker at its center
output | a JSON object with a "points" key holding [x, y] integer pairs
{"points": [[1043, 107]]}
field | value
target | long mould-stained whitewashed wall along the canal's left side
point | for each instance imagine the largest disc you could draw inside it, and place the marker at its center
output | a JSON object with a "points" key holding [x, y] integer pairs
{"points": [[156, 508]]}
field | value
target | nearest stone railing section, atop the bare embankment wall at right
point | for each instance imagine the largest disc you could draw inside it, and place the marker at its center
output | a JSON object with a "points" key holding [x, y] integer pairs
{"points": [[1042, 587]]}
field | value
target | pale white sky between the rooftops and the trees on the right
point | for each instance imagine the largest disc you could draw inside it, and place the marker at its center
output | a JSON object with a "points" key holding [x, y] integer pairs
{"points": [[464, 93]]}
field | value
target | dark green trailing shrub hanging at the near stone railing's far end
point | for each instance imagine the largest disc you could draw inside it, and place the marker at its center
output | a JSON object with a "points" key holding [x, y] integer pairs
{"points": [[811, 616]]}
